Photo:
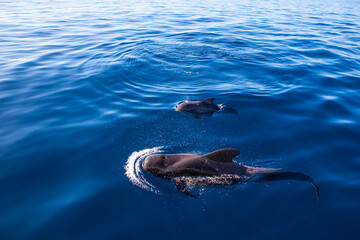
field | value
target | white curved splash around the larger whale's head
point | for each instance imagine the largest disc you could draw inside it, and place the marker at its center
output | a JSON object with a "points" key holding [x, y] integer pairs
{"points": [[134, 171]]}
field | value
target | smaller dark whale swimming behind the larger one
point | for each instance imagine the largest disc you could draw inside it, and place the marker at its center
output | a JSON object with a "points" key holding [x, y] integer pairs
{"points": [[204, 107]]}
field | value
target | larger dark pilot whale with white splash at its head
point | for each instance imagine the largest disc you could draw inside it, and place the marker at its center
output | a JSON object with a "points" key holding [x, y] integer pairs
{"points": [[215, 168]]}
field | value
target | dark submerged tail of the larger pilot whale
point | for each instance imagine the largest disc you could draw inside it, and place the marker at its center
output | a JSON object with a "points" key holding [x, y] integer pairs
{"points": [[274, 175]]}
